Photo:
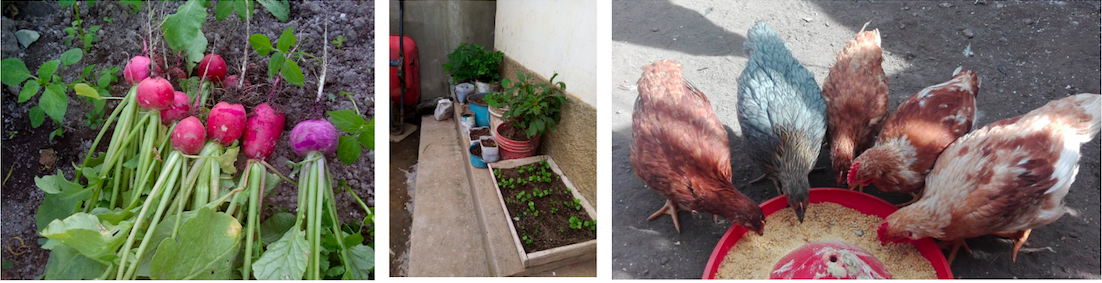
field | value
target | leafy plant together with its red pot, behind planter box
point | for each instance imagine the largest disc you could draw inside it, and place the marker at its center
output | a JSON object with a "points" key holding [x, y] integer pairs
{"points": [[534, 110]]}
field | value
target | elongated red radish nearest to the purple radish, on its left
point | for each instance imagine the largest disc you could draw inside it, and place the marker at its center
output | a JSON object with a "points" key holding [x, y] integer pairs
{"points": [[263, 133]]}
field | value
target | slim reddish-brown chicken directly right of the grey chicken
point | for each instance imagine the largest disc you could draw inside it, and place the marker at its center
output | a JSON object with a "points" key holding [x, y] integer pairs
{"points": [[857, 96]]}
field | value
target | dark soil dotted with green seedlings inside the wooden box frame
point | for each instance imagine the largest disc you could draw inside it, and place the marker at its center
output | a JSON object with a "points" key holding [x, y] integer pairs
{"points": [[547, 230]]}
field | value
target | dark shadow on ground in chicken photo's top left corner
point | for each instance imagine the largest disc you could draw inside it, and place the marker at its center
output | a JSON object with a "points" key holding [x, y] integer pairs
{"points": [[636, 25]]}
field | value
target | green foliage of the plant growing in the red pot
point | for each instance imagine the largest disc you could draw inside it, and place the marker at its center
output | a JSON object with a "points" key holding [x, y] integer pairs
{"points": [[535, 108]]}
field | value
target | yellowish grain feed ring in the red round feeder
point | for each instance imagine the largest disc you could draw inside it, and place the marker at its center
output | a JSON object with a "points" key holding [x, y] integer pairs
{"points": [[755, 256]]}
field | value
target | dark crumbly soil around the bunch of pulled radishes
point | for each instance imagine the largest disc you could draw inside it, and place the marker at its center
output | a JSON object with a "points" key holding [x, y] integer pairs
{"points": [[351, 70]]}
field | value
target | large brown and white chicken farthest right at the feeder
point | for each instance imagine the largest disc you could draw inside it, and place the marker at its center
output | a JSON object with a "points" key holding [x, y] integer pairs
{"points": [[1006, 179]]}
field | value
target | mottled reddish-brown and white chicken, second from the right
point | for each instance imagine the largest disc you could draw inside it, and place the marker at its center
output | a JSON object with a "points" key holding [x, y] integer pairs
{"points": [[916, 134]]}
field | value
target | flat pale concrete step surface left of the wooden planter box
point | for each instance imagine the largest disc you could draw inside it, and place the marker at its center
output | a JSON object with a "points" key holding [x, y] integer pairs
{"points": [[447, 236]]}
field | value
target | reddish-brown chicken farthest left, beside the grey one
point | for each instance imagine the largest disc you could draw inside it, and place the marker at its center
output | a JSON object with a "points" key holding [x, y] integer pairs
{"points": [[680, 150]]}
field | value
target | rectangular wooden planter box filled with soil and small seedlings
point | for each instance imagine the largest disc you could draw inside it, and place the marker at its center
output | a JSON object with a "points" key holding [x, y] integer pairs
{"points": [[552, 221]]}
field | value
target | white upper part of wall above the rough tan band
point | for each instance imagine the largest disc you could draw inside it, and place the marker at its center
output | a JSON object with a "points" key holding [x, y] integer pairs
{"points": [[553, 37]]}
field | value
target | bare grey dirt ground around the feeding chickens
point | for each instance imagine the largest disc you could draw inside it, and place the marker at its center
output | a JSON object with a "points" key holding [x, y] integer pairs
{"points": [[1027, 53]]}
